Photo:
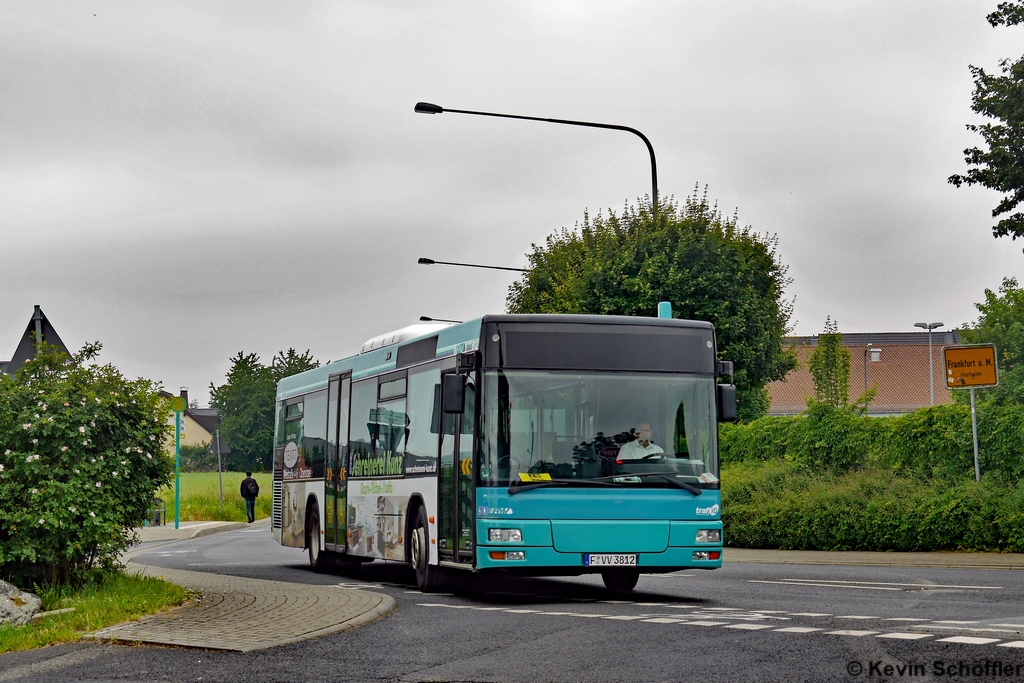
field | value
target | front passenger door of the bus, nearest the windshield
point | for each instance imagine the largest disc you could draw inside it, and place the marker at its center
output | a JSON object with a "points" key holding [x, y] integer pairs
{"points": [[456, 494]]}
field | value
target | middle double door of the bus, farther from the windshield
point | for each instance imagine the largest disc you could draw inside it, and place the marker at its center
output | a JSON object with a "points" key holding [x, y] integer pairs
{"points": [[337, 462]]}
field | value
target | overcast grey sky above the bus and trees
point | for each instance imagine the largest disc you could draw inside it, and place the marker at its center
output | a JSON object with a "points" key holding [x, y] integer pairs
{"points": [[186, 181]]}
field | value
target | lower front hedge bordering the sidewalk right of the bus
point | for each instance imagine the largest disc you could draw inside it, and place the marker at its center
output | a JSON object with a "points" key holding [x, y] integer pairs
{"points": [[784, 505]]}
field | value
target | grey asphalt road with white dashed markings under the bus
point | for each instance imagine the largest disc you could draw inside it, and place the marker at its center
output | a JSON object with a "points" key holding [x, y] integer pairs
{"points": [[745, 622]]}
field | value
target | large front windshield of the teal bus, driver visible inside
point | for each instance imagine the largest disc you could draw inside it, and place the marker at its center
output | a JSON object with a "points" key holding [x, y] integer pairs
{"points": [[621, 428]]}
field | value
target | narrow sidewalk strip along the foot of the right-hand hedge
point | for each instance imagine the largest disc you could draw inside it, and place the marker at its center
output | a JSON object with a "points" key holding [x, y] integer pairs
{"points": [[863, 559]]}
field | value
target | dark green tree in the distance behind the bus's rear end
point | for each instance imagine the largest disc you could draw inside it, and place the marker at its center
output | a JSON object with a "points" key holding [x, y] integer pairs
{"points": [[246, 402]]}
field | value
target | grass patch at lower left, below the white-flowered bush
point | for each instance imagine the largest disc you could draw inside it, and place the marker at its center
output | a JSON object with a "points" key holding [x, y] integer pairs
{"points": [[114, 599]]}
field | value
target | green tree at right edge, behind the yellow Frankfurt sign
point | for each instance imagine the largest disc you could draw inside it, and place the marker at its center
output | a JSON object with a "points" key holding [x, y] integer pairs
{"points": [[1001, 323]]}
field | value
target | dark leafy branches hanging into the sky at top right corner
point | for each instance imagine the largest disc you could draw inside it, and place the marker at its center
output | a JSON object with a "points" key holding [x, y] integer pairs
{"points": [[1001, 99]]}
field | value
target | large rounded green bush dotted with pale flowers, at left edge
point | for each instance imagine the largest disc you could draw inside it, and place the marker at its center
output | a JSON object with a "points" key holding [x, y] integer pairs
{"points": [[66, 509]]}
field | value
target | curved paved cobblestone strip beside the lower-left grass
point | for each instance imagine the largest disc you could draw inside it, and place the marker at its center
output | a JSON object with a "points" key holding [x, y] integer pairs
{"points": [[244, 615]]}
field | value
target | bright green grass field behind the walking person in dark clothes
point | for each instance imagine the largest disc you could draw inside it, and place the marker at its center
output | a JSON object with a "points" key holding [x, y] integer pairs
{"points": [[201, 497]]}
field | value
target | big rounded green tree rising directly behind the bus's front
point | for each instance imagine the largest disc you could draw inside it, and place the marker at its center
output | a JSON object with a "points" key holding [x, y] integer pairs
{"points": [[706, 266]]}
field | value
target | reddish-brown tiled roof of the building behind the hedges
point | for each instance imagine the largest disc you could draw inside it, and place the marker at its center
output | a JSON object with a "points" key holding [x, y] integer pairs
{"points": [[894, 363]]}
